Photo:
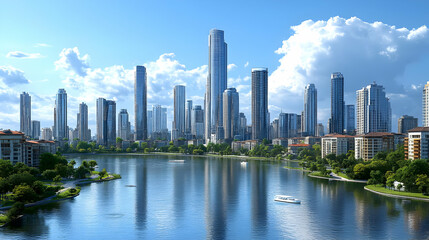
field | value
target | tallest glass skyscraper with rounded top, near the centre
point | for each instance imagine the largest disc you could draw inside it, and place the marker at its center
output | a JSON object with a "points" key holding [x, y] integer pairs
{"points": [[216, 83]]}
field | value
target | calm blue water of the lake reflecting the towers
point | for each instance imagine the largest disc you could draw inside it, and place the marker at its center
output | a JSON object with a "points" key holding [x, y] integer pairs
{"points": [[219, 199]]}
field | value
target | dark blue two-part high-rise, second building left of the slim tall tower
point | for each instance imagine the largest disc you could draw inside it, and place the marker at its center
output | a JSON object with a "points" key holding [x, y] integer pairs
{"points": [[106, 122]]}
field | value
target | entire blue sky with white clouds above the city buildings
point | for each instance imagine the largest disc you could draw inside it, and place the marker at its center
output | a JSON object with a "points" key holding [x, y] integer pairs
{"points": [[90, 48]]}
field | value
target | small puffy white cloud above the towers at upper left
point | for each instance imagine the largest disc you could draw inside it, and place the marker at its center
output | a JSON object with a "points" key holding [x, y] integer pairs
{"points": [[71, 61]]}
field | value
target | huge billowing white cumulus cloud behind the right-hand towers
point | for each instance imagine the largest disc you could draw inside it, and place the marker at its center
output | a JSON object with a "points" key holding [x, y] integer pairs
{"points": [[364, 52]]}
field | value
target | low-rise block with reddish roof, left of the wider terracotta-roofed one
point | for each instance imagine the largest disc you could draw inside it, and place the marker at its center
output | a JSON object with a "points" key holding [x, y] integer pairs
{"points": [[337, 144]]}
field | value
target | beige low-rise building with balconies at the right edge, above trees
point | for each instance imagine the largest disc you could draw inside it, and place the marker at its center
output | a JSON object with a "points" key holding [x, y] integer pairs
{"points": [[416, 145]]}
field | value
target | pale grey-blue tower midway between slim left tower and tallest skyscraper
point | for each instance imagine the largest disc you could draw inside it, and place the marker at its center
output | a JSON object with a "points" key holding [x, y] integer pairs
{"points": [[179, 112]]}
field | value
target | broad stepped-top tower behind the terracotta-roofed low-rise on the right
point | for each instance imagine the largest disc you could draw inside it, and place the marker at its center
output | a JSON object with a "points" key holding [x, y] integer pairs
{"points": [[373, 110]]}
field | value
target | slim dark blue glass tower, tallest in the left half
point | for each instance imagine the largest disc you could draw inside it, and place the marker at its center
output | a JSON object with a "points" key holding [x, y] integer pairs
{"points": [[140, 103]]}
